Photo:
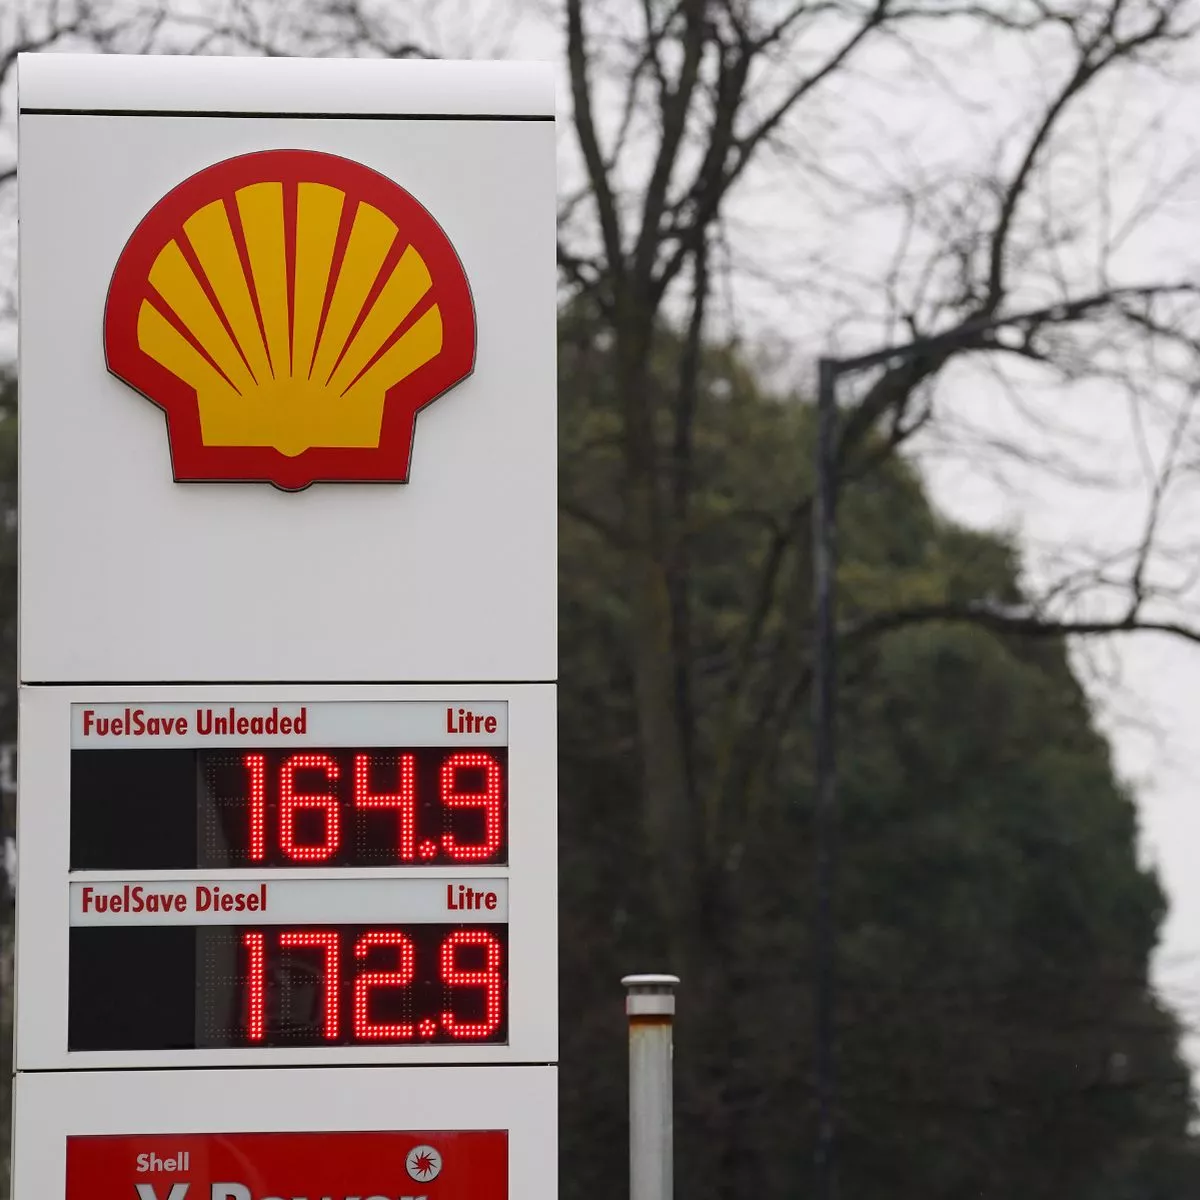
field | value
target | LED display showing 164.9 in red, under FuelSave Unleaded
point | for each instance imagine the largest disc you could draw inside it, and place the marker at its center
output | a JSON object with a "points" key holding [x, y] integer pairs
{"points": [[266, 808]]}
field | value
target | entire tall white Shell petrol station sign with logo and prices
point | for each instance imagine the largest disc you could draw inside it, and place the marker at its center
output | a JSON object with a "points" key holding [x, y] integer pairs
{"points": [[289, 626]]}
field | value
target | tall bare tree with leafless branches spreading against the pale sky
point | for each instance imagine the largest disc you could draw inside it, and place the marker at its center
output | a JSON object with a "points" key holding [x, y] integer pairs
{"points": [[671, 113]]}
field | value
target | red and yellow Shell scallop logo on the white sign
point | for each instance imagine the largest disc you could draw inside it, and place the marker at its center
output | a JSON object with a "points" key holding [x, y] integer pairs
{"points": [[291, 313]]}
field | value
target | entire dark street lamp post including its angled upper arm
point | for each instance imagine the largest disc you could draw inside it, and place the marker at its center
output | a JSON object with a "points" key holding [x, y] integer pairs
{"points": [[825, 677]]}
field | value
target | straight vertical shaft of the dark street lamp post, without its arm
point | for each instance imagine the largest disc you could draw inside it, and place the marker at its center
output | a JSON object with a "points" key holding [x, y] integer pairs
{"points": [[825, 700]]}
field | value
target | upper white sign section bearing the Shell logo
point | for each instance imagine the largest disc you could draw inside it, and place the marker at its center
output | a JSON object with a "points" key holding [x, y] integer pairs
{"points": [[327, 293]]}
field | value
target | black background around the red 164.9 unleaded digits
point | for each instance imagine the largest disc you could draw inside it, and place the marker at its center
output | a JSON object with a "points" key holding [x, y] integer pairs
{"points": [[184, 809]]}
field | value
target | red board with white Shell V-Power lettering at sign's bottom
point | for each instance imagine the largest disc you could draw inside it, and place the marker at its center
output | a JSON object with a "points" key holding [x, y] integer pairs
{"points": [[436, 1166]]}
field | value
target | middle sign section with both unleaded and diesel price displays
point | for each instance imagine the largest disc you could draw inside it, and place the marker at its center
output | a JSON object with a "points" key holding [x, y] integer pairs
{"points": [[302, 879]]}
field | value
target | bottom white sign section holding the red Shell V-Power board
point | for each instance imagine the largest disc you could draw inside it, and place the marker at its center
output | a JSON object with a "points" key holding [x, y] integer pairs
{"points": [[455, 1133]]}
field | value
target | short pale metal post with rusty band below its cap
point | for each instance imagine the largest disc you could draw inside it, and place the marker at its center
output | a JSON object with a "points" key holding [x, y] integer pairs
{"points": [[650, 1005]]}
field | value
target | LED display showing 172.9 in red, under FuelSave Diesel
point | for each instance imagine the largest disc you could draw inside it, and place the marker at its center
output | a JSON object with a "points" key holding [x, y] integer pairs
{"points": [[187, 987]]}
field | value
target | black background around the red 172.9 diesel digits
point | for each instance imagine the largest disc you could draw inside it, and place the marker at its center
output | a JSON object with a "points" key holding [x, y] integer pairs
{"points": [[147, 988]]}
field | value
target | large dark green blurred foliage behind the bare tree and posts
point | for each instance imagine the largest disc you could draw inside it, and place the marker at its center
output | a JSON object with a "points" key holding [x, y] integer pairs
{"points": [[997, 1031]]}
